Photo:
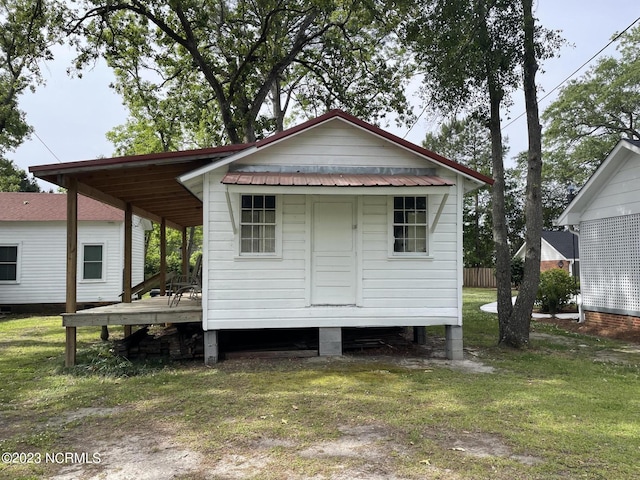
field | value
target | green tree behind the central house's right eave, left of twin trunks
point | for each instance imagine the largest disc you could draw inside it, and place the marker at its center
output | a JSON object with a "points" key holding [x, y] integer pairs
{"points": [[467, 141]]}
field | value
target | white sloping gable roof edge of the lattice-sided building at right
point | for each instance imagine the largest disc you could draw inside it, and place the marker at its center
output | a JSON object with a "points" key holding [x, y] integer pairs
{"points": [[623, 151]]}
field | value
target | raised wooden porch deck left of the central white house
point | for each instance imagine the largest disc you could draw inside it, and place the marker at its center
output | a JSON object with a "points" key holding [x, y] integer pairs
{"points": [[140, 312]]}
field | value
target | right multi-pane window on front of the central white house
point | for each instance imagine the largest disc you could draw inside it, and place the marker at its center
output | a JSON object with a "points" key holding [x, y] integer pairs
{"points": [[410, 228]]}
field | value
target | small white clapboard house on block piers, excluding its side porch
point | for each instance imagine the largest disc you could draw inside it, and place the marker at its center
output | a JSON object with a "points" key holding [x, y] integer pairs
{"points": [[334, 223]]}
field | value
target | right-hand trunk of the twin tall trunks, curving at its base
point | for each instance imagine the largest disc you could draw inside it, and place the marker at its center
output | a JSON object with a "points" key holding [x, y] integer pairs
{"points": [[517, 333]]}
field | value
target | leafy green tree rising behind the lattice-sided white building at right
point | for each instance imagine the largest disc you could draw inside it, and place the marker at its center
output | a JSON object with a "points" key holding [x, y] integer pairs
{"points": [[592, 113]]}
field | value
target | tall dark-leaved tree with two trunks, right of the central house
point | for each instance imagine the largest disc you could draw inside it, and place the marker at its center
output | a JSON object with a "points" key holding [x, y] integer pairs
{"points": [[474, 52]]}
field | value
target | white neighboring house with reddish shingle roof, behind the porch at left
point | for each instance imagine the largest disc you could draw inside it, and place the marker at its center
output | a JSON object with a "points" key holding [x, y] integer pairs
{"points": [[33, 251]]}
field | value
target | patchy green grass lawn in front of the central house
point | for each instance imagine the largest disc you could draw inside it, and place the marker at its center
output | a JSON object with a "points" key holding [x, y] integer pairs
{"points": [[566, 407]]}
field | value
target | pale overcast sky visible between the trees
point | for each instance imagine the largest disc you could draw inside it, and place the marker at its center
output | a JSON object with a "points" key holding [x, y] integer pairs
{"points": [[72, 115]]}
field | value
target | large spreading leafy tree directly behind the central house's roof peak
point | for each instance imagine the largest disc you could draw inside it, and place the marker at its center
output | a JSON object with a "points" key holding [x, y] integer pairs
{"points": [[250, 61]]}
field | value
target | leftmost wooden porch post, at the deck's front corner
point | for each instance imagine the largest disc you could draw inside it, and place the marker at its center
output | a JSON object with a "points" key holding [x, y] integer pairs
{"points": [[72, 269]]}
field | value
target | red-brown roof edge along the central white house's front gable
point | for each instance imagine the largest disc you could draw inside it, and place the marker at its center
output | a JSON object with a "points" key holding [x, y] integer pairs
{"points": [[377, 131]]}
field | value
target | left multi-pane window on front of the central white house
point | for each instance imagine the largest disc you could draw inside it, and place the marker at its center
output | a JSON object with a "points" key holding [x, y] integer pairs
{"points": [[258, 224]]}
